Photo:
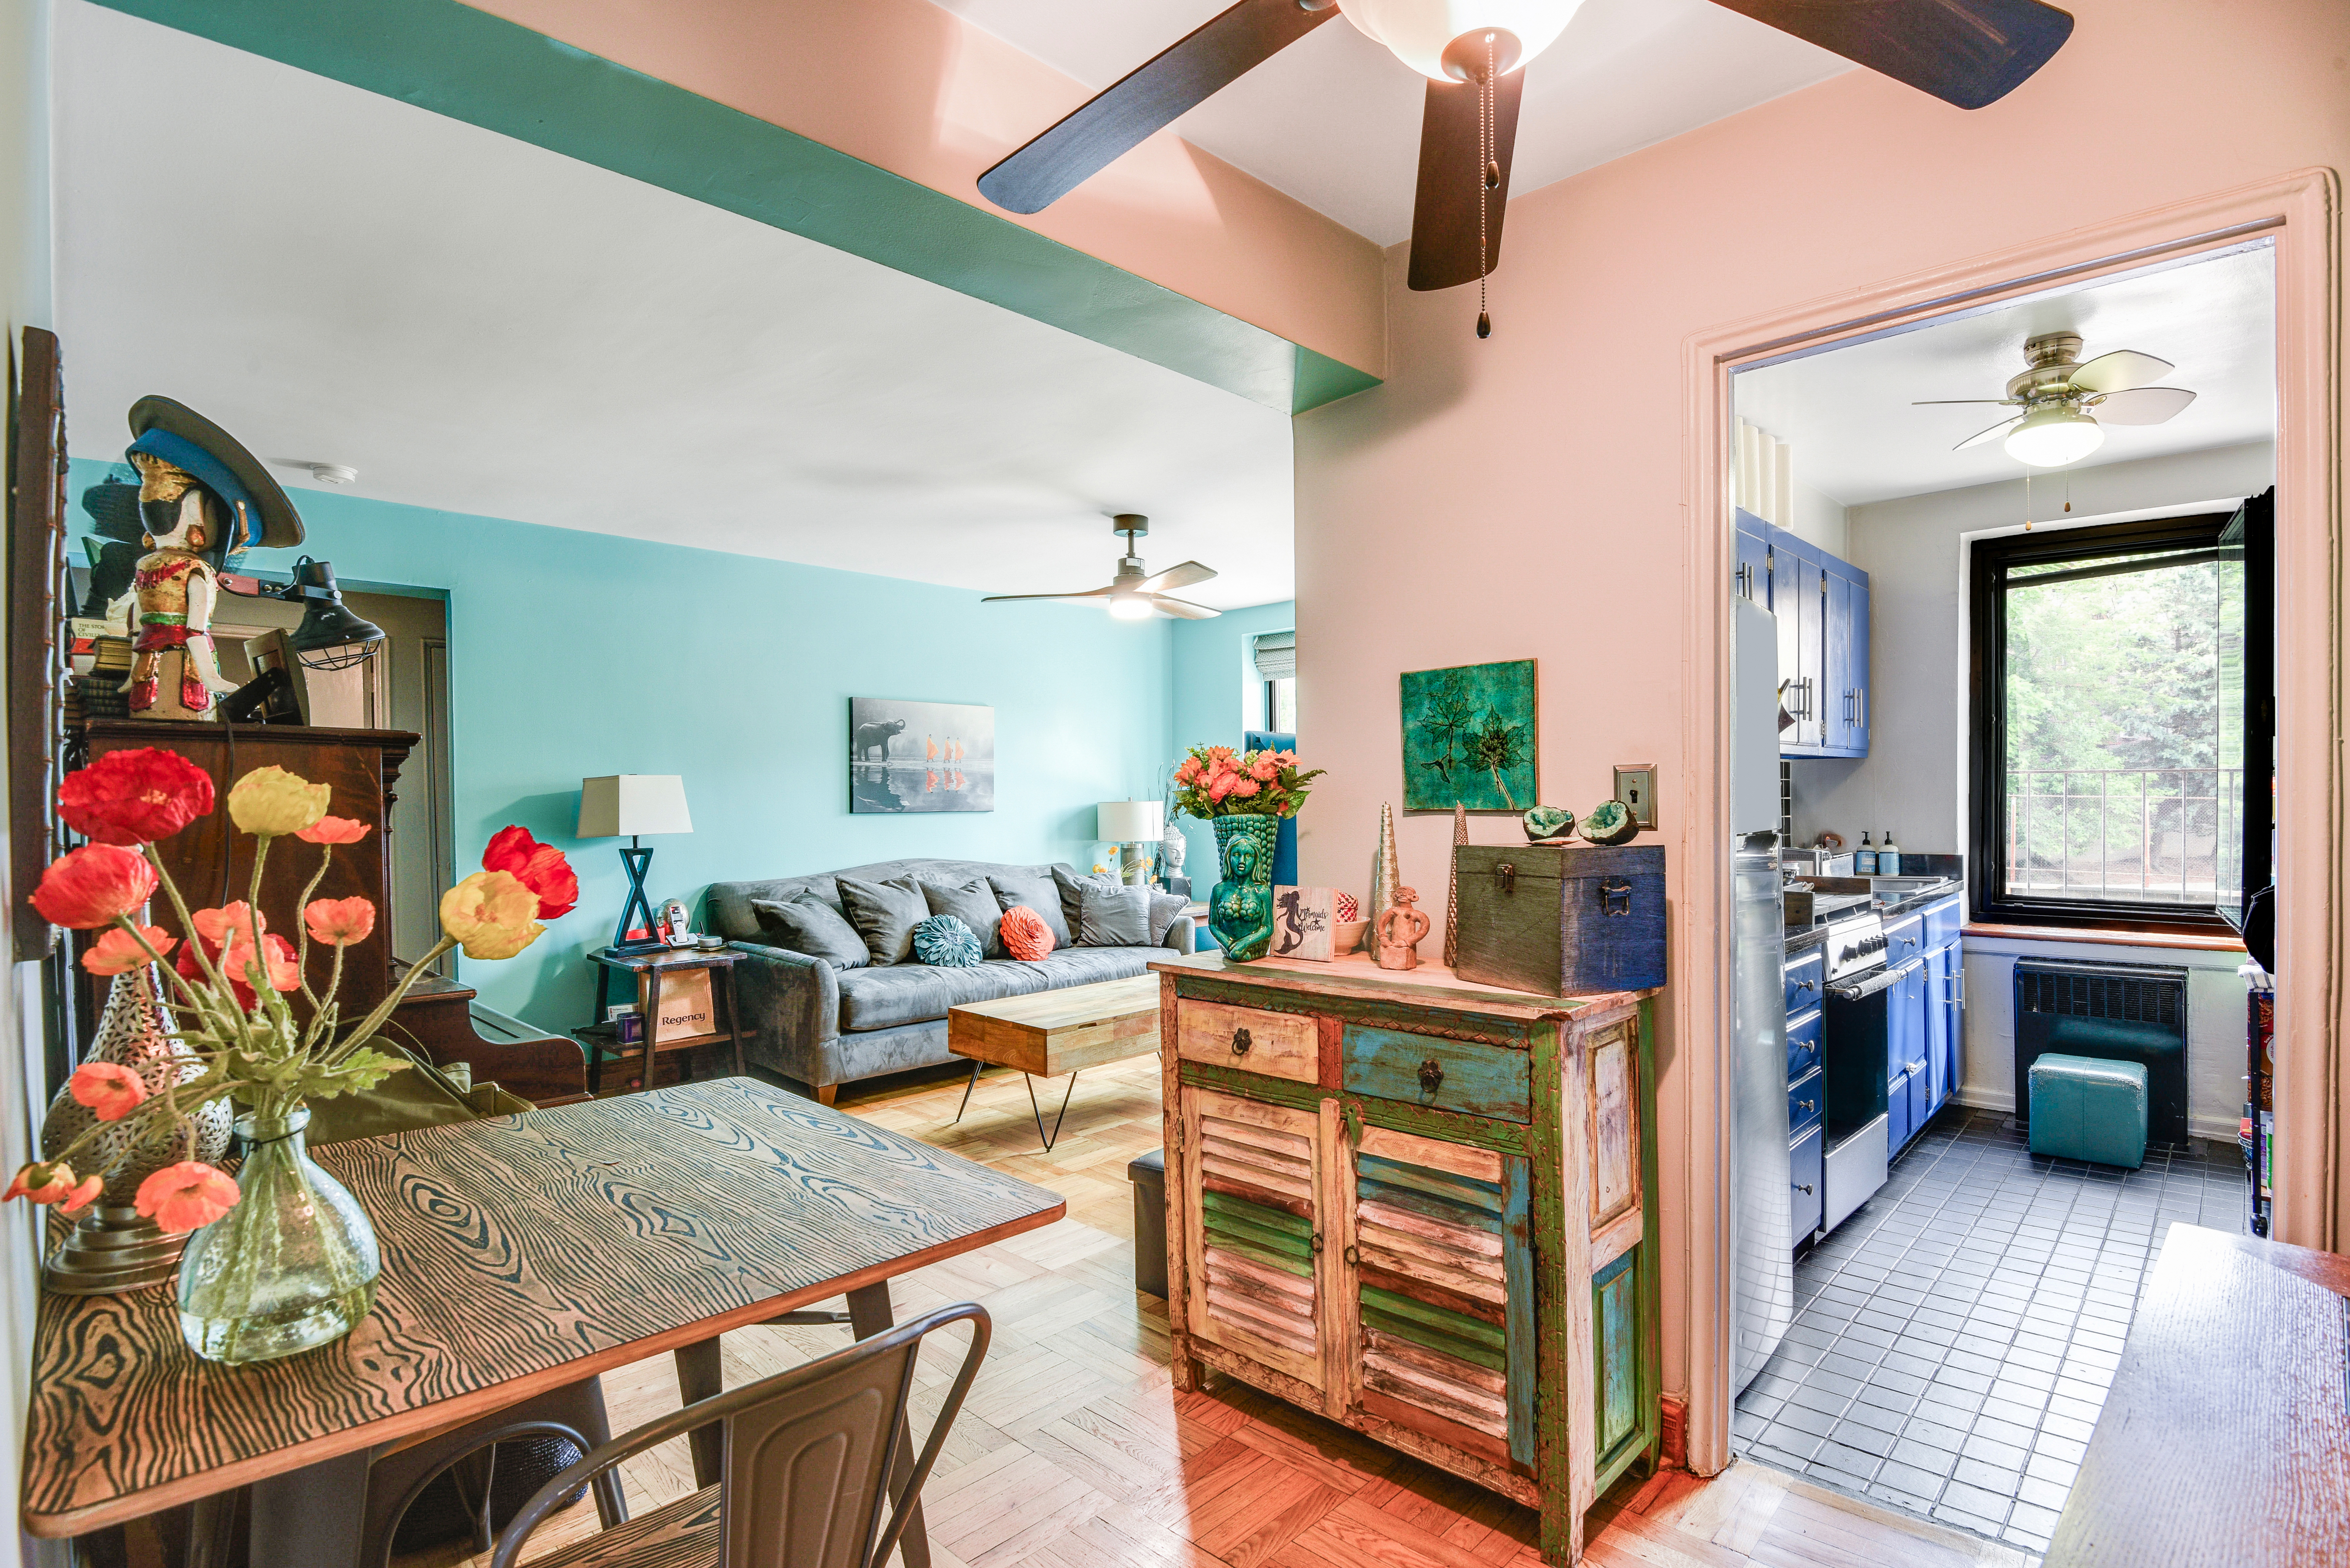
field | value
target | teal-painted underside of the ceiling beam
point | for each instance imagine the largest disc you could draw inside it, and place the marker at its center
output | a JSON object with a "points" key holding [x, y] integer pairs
{"points": [[506, 79]]}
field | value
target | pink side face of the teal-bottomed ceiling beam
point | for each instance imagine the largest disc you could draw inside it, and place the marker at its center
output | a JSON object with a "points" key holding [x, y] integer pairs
{"points": [[918, 91]]}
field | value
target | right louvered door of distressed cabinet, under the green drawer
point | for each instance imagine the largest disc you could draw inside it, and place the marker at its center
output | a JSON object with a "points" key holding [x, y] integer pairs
{"points": [[1444, 1287]]}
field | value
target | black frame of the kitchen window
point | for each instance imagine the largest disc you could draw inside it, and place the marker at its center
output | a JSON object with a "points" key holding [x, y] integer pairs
{"points": [[1987, 732]]}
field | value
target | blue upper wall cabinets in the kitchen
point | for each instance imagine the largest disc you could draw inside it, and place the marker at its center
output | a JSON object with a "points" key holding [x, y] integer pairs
{"points": [[1822, 608]]}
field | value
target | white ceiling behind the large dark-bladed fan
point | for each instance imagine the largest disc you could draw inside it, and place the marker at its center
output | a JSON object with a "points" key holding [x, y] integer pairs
{"points": [[1334, 121]]}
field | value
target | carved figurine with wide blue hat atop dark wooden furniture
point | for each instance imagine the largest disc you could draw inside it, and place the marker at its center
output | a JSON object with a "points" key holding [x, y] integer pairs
{"points": [[206, 502]]}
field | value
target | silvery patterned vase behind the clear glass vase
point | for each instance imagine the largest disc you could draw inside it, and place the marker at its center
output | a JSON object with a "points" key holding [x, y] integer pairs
{"points": [[112, 1247]]}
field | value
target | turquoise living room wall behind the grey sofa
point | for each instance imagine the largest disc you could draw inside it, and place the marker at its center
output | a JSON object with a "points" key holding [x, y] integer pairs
{"points": [[579, 655]]}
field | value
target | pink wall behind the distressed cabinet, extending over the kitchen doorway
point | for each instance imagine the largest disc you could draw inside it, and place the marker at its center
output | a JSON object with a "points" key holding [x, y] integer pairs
{"points": [[1524, 497]]}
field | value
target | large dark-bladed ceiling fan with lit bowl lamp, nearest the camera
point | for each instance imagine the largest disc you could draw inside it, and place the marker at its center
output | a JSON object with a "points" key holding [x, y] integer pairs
{"points": [[1968, 53]]}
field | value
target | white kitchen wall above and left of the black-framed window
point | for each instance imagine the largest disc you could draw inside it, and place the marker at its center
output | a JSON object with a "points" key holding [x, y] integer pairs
{"points": [[1916, 558]]}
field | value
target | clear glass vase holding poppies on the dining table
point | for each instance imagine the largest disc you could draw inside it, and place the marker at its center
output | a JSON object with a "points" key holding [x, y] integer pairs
{"points": [[290, 1268]]}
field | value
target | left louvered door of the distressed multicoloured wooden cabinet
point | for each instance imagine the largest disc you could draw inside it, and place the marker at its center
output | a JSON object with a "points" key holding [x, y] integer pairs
{"points": [[1254, 1242]]}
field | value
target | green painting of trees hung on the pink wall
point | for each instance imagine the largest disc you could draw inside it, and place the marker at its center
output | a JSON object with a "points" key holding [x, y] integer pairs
{"points": [[1470, 737]]}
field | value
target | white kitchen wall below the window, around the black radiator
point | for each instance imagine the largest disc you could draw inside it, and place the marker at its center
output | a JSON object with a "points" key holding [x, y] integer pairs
{"points": [[2215, 1024]]}
